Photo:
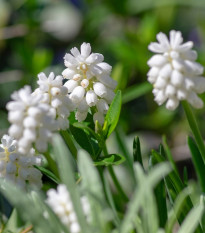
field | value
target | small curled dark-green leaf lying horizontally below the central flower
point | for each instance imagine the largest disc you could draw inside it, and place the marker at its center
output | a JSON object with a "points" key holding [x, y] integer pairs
{"points": [[111, 159]]}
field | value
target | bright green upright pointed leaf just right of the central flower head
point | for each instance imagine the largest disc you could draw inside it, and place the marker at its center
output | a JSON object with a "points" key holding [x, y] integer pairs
{"points": [[112, 115]]}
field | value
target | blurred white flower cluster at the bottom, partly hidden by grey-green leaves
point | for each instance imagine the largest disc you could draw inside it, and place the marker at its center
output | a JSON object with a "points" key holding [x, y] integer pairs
{"points": [[62, 206]]}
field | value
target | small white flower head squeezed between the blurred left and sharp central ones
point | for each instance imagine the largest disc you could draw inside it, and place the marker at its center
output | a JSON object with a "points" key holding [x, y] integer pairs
{"points": [[56, 96]]}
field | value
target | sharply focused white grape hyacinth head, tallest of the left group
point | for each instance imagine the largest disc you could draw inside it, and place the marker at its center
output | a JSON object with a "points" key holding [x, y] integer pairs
{"points": [[89, 84]]}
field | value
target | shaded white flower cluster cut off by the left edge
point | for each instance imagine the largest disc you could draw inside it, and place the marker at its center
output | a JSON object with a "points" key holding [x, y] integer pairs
{"points": [[16, 167]]}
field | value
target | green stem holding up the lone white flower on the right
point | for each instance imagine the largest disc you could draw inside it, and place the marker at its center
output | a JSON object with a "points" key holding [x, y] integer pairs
{"points": [[194, 127]]}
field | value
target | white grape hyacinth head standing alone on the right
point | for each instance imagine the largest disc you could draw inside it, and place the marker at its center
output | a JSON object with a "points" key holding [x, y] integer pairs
{"points": [[174, 73]]}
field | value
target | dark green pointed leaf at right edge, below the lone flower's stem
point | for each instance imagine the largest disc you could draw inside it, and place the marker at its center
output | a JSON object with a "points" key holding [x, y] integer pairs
{"points": [[198, 162]]}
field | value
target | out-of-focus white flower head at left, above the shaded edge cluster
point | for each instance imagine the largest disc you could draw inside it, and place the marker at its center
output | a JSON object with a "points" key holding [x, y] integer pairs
{"points": [[32, 122]]}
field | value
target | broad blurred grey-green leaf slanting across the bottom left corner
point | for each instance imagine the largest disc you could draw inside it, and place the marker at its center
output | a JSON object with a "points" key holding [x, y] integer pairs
{"points": [[32, 208]]}
